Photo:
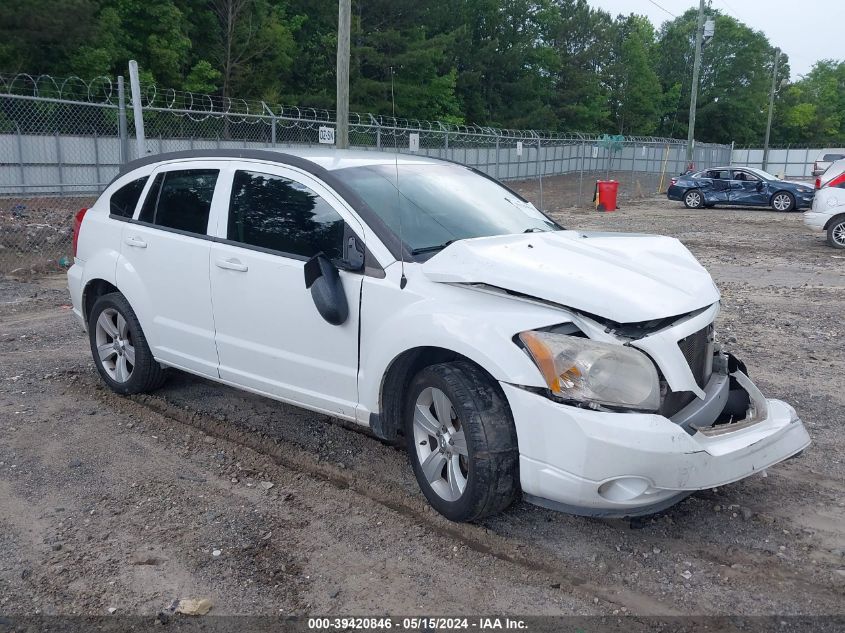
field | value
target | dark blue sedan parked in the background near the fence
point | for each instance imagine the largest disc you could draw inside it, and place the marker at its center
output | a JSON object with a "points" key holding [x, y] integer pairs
{"points": [[745, 186]]}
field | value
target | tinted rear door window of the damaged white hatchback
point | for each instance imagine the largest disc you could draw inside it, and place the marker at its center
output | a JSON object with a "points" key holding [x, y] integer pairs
{"points": [[181, 200]]}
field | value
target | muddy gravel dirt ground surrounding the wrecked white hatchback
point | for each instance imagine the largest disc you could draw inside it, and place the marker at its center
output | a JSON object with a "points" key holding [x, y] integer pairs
{"points": [[199, 490]]}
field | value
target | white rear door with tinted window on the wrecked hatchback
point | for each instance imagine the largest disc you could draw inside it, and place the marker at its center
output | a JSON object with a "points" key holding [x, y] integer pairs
{"points": [[164, 269]]}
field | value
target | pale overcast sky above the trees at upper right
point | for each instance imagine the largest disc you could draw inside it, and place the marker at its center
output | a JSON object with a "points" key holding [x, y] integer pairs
{"points": [[806, 30]]}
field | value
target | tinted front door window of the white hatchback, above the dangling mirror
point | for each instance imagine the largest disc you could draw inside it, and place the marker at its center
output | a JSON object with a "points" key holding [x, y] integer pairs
{"points": [[282, 215]]}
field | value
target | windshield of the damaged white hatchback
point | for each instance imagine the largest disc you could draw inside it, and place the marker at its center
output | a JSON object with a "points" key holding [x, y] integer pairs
{"points": [[440, 204]]}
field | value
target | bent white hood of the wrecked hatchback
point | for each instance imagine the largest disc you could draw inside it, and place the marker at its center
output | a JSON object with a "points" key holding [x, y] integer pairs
{"points": [[624, 277]]}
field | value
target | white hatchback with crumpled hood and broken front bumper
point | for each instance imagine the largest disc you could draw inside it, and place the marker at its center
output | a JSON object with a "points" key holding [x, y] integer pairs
{"points": [[507, 353]]}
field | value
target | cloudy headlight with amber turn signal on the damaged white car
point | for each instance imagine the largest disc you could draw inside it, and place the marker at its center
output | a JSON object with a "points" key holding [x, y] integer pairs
{"points": [[601, 373]]}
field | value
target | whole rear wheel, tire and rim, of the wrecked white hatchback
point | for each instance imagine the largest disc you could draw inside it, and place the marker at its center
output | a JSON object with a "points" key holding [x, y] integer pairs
{"points": [[119, 347]]}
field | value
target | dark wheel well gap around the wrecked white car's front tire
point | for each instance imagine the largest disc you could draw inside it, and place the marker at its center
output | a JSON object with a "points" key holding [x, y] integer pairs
{"points": [[387, 424]]}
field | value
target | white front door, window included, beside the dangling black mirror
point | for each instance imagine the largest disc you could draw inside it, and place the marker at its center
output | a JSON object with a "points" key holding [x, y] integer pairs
{"points": [[270, 336]]}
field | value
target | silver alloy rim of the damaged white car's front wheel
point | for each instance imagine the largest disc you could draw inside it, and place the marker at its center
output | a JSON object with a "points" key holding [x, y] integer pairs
{"points": [[440, 444]]}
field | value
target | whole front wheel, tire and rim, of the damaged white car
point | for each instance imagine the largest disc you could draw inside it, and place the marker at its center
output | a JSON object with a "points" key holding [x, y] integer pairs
{"points": [[461, 441]]}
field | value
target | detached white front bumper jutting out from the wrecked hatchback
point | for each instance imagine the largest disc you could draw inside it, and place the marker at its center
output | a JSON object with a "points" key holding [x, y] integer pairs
{"points": [[600, 463]]}
